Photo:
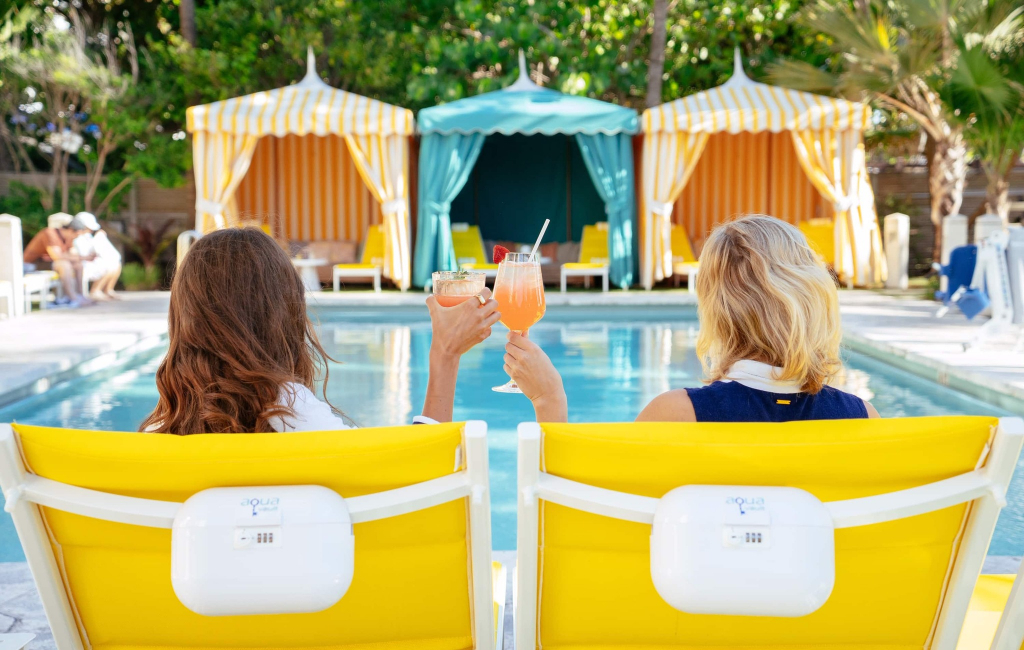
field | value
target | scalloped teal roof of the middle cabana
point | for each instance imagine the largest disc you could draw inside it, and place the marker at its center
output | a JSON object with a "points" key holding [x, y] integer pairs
{"points": [[528, 109]]}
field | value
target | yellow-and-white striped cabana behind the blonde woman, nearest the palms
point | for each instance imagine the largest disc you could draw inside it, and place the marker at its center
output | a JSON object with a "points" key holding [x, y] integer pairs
{"points": [[750, 148]]}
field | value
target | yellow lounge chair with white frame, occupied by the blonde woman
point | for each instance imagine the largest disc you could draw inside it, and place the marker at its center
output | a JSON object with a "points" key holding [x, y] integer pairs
{"points": [[914, 503]]}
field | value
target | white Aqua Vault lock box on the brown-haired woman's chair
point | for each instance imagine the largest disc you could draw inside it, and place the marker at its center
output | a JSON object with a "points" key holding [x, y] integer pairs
{"points": [[263, 551]]}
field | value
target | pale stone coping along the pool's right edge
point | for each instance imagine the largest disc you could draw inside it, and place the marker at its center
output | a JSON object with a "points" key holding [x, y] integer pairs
{"points": [[995, 393]]}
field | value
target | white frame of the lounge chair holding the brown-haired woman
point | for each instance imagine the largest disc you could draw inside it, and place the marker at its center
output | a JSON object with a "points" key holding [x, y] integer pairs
{"points": [[25, 492]]}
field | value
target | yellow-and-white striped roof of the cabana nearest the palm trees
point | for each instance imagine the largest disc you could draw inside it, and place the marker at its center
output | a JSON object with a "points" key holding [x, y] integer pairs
{"points": [[744, 105]]}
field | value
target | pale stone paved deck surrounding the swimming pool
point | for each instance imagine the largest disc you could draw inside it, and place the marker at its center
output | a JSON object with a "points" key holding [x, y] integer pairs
{"points": [[48, 348]]}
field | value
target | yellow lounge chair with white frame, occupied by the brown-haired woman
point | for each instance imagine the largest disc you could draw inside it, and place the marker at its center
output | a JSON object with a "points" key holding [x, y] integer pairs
{"points": [[94, 512]]}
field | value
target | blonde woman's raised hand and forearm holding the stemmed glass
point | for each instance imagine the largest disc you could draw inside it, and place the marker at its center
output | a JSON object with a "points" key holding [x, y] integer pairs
{"points": [[536, 376]]}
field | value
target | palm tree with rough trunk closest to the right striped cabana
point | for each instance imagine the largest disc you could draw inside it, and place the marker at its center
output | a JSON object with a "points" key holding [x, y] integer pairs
{"points": [[903, 56]]}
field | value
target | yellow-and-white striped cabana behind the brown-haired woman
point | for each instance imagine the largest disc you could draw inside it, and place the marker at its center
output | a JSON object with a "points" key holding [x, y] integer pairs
{"points": [[337, 164]]}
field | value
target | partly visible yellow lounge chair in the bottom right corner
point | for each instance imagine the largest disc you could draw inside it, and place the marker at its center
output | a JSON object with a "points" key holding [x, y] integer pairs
{"points": [[996, 620]]}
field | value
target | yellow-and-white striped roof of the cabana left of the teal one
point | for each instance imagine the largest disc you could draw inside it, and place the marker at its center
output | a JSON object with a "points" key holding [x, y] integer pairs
{"points": [[310, 107]]}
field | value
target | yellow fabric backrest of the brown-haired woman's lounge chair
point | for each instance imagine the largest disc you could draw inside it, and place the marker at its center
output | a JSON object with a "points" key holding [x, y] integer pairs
{"points": [[411, 588]]}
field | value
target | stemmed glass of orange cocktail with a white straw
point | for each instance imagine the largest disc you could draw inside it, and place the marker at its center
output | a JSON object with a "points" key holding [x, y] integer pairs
{"points": [[520, 292]]}
